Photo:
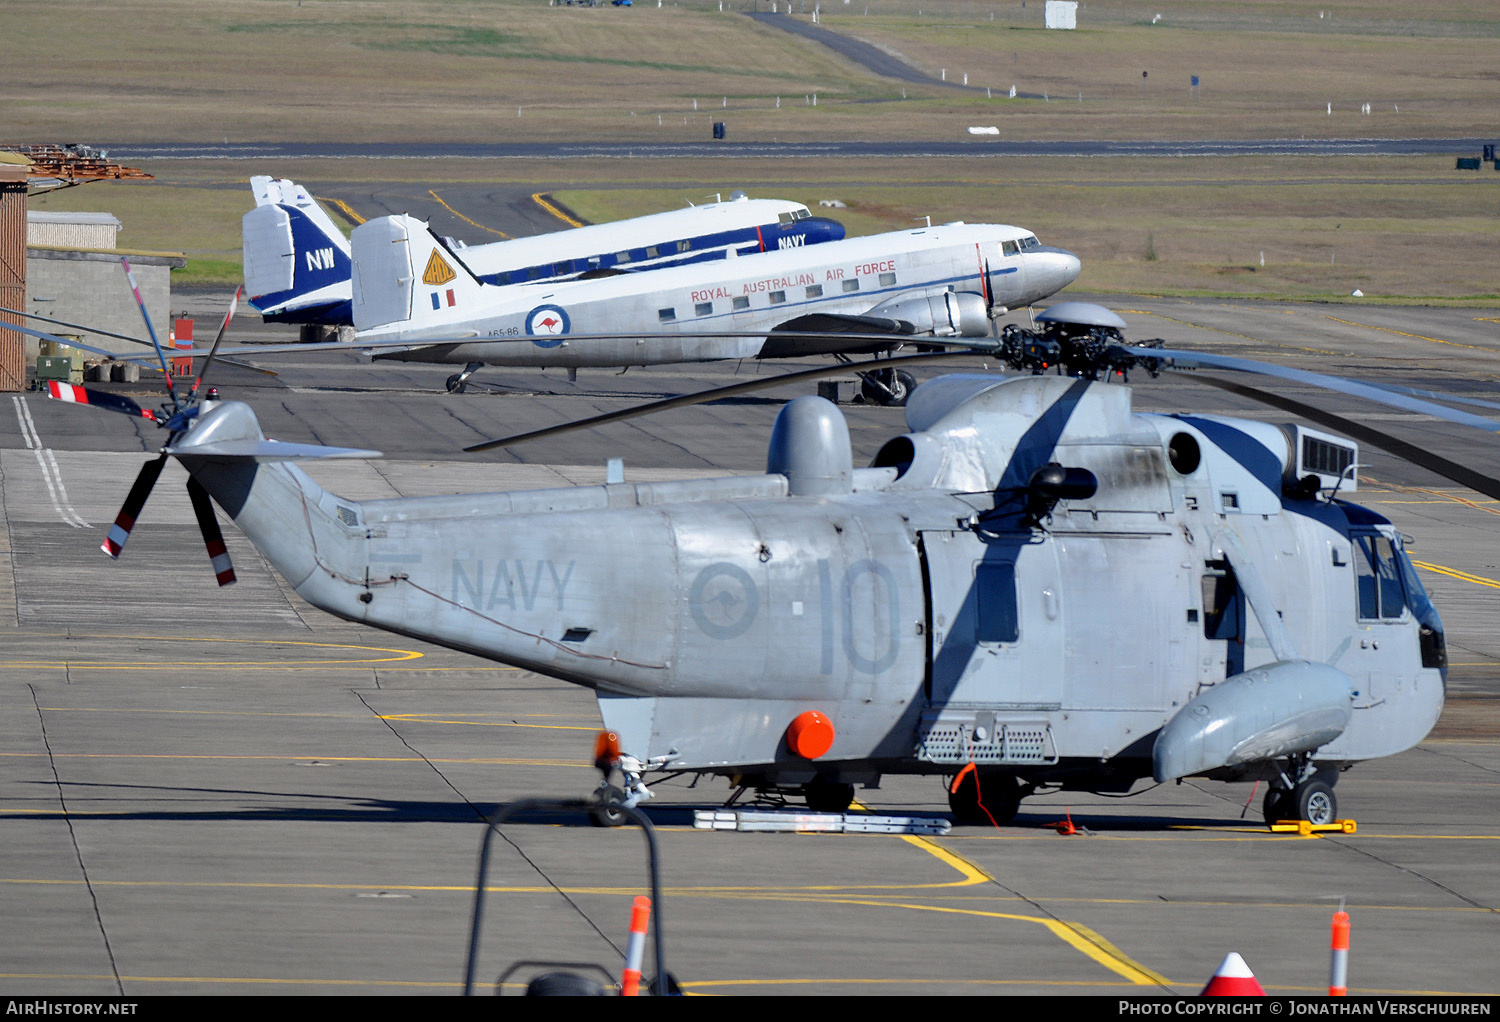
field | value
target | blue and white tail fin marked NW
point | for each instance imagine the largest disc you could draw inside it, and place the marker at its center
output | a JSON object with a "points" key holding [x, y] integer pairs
{"points": [[296, 259]]}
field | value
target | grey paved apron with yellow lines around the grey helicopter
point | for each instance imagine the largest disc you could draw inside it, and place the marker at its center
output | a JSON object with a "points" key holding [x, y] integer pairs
{"points": [[230, 793]]}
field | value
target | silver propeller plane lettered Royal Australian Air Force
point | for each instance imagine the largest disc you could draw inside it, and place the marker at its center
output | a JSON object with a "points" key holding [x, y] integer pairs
{"points": [[943, 283]]}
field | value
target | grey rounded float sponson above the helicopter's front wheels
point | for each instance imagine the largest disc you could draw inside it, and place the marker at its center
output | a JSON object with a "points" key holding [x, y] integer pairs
{"points": [[1271, 712]]}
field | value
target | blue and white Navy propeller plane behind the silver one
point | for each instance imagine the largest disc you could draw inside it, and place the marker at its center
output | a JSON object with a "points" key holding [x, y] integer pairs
{"points": [[298, 262]]}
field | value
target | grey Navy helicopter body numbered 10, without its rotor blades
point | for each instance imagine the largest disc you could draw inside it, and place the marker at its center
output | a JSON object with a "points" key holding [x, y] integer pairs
{"points": [[1033, 588]]}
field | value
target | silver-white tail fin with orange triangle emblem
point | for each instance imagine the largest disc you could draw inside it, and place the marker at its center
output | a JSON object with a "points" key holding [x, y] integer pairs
{"points": [[406, 275]]}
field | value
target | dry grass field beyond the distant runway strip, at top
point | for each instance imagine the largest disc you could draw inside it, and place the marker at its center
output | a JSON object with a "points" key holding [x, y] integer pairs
{"points": [[445, 70]]}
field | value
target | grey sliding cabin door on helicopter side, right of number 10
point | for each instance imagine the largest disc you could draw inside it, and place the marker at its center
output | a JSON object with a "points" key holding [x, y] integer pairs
{"points": [[995, 649]]}
